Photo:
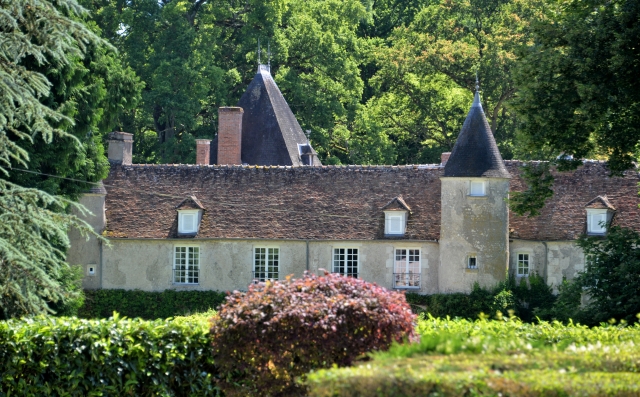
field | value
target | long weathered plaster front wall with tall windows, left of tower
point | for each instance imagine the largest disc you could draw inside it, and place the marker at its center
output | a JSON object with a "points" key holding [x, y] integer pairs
{"points": [[228, 264]]}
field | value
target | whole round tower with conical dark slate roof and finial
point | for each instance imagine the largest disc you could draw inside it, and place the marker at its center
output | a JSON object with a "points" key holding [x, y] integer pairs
{"points": [[474, 244]]}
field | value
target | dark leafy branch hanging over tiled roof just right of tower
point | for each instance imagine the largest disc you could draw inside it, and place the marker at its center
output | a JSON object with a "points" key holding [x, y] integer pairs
{"points": [[538, 179]]}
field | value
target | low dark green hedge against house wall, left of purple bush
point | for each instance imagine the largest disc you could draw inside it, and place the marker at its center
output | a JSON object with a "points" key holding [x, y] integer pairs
{"points": [[148, 305]]}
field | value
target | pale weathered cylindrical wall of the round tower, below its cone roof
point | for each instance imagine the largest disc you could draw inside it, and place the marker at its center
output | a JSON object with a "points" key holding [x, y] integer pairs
{"points": [[473, 226]]}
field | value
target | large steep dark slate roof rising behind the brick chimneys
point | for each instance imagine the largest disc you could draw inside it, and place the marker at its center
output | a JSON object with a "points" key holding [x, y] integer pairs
{"points": [[270, 131]]}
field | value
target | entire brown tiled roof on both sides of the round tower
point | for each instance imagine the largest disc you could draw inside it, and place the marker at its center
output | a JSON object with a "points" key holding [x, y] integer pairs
{"points": [[336, 202]]}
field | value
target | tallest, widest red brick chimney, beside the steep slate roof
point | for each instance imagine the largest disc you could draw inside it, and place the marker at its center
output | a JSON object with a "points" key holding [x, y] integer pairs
{"points": [[229, 135]]}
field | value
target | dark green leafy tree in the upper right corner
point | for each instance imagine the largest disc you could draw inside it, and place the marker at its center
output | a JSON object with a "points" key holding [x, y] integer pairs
{"points": [[578, 93]]}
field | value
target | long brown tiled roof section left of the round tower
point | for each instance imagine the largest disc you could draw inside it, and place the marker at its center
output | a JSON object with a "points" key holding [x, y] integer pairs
{"points": [[328, 202]]}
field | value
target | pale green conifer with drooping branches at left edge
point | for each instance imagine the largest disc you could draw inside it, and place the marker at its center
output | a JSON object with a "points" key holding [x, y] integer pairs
{"points": [[33, 224]]}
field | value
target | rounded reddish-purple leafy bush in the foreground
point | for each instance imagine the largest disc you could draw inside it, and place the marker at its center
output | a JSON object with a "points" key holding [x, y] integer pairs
{"points": [[265, 338]]}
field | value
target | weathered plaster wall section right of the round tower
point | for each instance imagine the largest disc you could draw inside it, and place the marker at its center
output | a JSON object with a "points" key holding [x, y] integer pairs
{"points": [[557, 261]]}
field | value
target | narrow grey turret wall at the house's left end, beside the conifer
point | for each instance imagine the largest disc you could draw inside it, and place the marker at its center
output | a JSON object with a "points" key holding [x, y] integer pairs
{"points": [[85, 252]]}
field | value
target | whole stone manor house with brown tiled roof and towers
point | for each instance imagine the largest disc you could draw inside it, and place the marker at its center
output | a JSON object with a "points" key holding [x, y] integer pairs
{"points": [[259, 205]]}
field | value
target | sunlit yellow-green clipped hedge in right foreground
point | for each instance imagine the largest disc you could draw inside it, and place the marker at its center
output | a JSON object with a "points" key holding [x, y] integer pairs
{"points": [[489, 358]]}
